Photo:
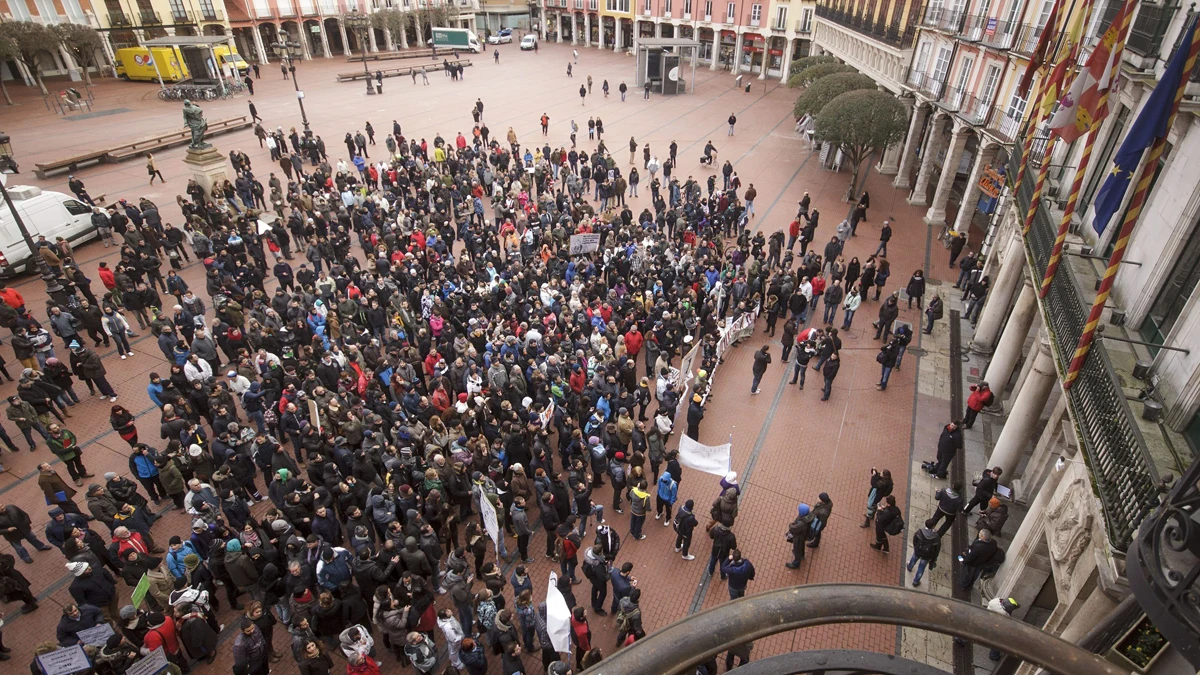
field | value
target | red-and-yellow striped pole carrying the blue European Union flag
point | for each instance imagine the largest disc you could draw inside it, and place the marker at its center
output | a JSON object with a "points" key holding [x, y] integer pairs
{"points": [[1131, 220]]}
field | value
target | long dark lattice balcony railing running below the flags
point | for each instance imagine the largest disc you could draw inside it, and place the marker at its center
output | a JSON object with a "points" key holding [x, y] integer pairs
{"points": [[1123, 471]]}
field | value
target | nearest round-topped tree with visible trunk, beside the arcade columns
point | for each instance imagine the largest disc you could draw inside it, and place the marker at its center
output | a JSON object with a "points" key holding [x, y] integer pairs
{"points": [[860, 123]]}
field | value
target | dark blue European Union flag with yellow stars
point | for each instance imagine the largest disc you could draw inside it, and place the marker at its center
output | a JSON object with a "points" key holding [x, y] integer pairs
{"points": [[1150, 127]]}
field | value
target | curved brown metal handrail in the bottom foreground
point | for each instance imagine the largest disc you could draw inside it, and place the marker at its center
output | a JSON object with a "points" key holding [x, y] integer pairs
{"points": [[680, 648]]}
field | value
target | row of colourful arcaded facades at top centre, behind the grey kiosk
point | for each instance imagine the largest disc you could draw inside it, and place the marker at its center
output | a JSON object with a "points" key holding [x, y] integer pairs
{"points": [[746, 38]]}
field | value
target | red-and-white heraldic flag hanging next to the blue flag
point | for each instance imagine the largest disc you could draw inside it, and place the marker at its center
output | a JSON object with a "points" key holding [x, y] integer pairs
{"points": [[1082, 104]]}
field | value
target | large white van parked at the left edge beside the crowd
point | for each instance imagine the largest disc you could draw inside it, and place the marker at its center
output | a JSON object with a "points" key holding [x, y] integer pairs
{"points": [[52, 214]]}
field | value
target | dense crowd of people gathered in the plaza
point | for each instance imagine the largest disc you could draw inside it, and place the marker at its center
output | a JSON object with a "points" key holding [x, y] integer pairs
{"points": [[431, 349]]}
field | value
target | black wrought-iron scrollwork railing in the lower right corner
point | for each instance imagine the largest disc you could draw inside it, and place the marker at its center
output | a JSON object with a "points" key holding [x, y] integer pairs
{"points": [[1165, 566]]}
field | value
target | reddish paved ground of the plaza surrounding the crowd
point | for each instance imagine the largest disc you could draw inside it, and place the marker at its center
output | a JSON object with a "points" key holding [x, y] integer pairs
{"points": [[788, 445]]}
